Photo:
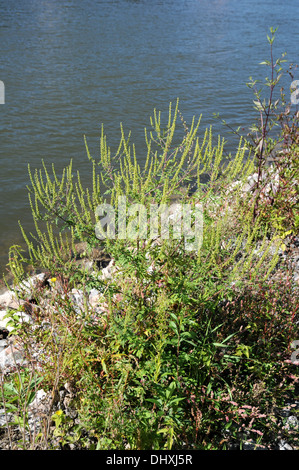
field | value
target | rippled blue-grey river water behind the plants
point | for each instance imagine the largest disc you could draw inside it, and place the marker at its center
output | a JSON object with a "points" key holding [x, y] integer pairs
{"points": [[70, 65]]}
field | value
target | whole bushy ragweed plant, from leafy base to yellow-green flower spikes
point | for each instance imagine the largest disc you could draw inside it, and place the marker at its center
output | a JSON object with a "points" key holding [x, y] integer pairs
{"points": [[141, 365]]}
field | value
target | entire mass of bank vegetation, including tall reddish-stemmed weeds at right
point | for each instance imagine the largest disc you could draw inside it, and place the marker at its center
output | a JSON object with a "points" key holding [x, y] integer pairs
{"points": [[185, 348]]}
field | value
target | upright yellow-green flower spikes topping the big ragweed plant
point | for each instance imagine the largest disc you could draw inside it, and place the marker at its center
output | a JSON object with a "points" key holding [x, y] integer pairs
{"points": [[65, 213]]}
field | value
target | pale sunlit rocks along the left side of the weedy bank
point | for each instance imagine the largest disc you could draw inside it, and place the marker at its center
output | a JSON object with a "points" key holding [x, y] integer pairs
{"points": [[12, 355]]}
